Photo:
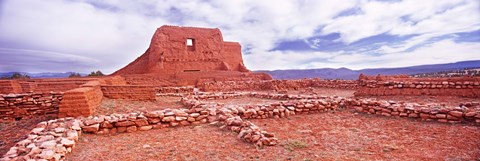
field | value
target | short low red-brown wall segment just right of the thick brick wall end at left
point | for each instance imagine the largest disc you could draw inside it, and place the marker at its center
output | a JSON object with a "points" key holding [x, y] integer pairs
{"points": [[129, 92]]}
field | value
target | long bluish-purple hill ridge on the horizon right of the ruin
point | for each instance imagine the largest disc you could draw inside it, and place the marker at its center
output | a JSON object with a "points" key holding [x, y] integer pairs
{"points": [[345, 73]]}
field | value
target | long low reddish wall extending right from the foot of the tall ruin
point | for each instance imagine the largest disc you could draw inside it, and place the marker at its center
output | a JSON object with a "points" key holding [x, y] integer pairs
{"points": [[276, 85]]}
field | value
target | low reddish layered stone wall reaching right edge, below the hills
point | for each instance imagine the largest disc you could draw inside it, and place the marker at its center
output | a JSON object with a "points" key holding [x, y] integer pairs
{"points": [[403, 85]]}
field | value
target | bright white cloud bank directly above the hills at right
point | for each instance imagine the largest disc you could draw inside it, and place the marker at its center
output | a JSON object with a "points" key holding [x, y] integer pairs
{"points": [[445, 51]]}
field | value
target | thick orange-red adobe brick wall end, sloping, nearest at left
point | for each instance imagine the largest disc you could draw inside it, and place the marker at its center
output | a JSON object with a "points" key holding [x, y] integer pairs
{"points": [[81, 101]]}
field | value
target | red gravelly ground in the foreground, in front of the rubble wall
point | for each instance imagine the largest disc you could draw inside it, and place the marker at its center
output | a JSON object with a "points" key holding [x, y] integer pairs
{"points": [[342, 135]]}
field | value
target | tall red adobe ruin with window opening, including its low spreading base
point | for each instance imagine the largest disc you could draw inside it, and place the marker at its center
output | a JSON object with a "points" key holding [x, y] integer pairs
{"points": [[186, 55]]}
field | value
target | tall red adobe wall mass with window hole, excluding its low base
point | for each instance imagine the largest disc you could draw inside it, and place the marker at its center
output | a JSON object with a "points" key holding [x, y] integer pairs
{"points": [[168, 52]]}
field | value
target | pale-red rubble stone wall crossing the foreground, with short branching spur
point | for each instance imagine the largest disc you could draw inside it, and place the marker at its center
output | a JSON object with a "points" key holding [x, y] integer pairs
{"points": [[55, 138]]}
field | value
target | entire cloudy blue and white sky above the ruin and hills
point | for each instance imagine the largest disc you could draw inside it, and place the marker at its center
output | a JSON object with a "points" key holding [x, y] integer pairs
{"points": [[87, 35]]}
